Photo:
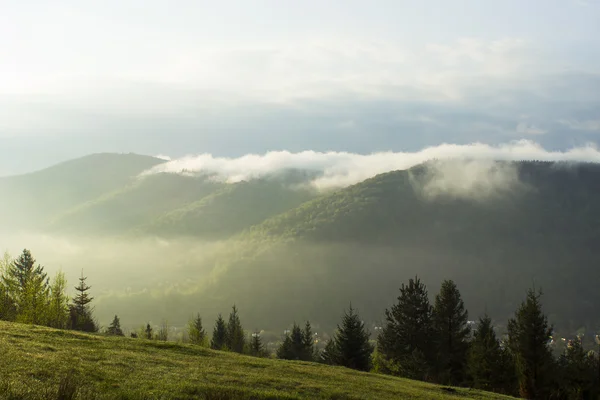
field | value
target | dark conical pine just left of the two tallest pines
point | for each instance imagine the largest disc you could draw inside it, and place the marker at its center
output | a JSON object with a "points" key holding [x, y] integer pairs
{"points": [[352, 347]]}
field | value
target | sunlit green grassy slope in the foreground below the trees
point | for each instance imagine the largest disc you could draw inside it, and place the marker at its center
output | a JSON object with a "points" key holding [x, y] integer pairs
{"points": [[43, 363]]}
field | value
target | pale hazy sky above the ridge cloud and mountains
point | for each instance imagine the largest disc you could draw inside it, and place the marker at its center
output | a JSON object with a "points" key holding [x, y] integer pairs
{"points": [[234, 77]]}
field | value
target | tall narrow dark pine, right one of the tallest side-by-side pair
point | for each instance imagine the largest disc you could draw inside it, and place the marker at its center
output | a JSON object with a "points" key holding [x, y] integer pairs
{"points": [[451, 334]]}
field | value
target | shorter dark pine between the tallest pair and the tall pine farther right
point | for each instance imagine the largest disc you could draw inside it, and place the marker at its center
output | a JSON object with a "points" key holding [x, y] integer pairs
{"points": [[488, 365]]}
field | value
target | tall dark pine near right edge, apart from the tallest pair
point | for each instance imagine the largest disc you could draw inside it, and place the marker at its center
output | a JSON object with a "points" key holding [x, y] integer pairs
{"points": [[528, 339]]}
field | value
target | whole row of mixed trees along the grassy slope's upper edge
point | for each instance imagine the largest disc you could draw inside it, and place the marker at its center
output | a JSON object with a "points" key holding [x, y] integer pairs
{"points": [[419, 340]]}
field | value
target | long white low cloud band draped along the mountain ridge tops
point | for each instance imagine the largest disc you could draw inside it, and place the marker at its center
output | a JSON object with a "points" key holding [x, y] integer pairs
{"points": [[340, 169]]}
